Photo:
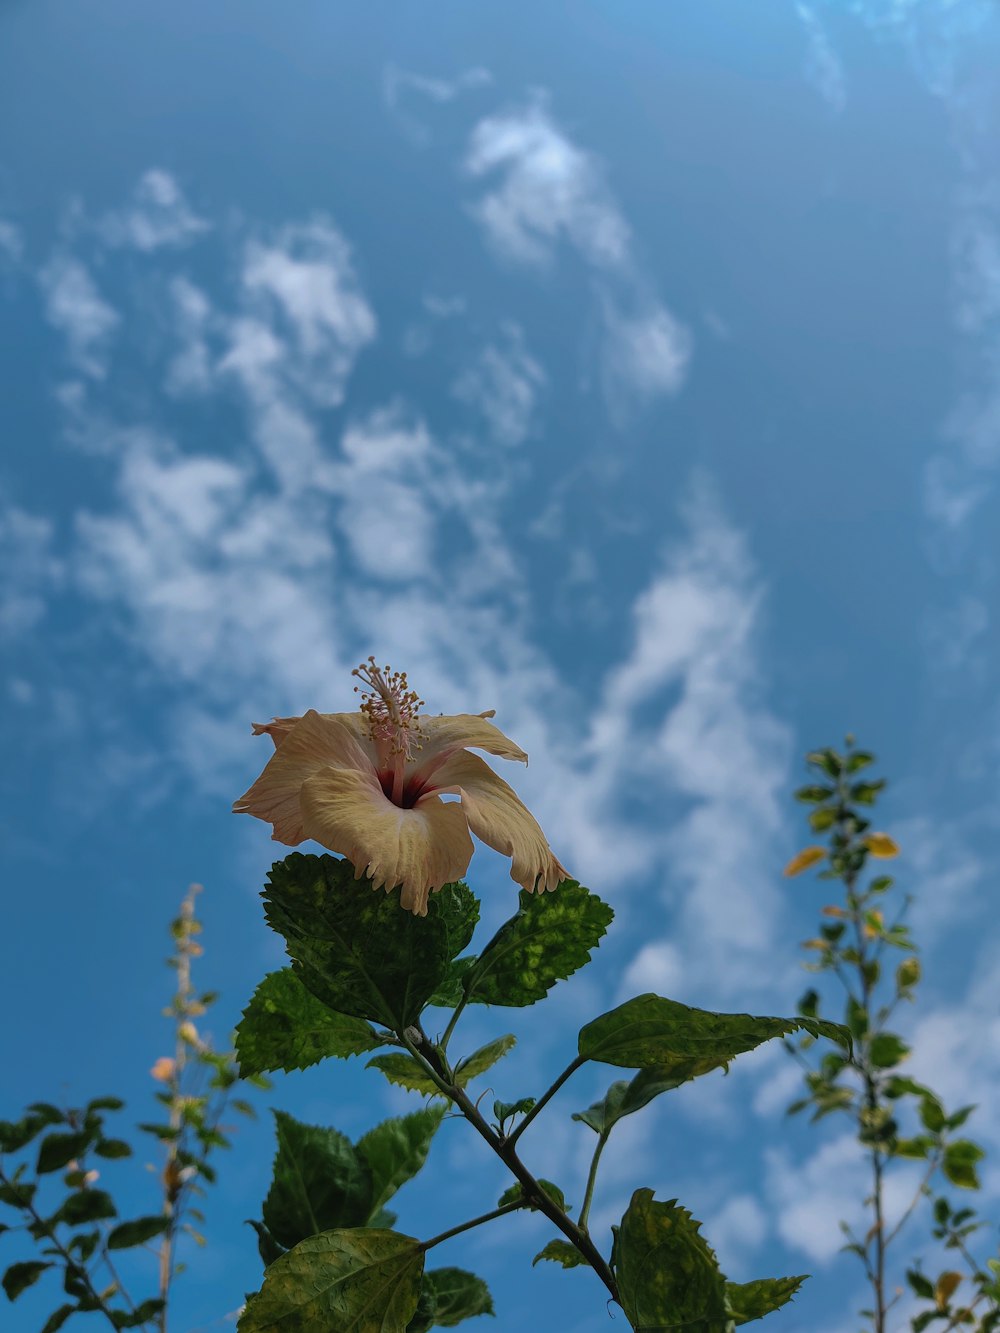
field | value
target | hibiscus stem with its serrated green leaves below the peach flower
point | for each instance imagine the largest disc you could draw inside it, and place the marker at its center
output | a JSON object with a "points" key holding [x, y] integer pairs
{"points": [[363, 978]]}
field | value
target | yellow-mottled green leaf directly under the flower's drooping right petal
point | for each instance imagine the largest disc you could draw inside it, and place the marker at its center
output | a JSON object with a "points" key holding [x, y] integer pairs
{"points": [[546, 942]]}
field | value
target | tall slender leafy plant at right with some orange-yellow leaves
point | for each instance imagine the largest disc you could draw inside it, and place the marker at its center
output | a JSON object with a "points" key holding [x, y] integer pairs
{"points": [[895, 1116]]}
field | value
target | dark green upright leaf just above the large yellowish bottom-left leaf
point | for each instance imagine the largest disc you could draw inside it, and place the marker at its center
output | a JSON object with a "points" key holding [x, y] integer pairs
{"points": [[319, 1183]]}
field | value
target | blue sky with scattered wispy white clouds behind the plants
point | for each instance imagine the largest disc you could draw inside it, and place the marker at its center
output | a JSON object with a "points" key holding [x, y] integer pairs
{"points": [[631, 370]]}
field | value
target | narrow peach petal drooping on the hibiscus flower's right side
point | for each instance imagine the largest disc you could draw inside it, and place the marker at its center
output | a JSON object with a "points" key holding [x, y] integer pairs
{"points": [[502, 820]]}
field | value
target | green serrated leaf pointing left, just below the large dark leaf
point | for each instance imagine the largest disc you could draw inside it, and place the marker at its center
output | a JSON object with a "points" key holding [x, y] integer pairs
{"points": [[285, 1027]]}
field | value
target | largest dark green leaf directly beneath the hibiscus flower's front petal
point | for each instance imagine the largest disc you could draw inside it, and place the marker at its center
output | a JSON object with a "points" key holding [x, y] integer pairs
{"points": [[354, 948]]}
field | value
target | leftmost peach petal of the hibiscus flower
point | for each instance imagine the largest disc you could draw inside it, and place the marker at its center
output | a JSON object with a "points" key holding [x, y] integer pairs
{"points": [[311, 744]]}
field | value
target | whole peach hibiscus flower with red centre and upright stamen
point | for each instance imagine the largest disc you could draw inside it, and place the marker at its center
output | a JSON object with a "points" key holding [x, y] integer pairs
{"points": [[370, 784]]}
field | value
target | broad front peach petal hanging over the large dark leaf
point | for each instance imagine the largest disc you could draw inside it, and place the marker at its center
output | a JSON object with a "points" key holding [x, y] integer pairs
{"points": [[419, 848]]}
